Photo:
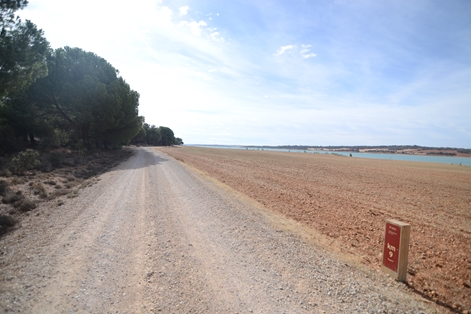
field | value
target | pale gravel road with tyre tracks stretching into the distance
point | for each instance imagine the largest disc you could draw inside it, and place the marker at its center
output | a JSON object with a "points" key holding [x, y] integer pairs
{"points": [[155, 236]]}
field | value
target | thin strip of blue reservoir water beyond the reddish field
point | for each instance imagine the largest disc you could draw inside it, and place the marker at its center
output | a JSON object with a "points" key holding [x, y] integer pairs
{"points": [[465, 161]]}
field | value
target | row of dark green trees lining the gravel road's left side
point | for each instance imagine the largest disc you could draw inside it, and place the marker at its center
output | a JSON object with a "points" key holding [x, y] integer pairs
{"points": [[65, 97]]}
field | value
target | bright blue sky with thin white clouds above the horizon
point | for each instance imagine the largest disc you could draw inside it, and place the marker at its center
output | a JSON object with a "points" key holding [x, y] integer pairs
{"points": [[283, 72]]}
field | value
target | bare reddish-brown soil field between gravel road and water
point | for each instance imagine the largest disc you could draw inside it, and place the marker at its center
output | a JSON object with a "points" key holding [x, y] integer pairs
{"points": [[349, 200]]}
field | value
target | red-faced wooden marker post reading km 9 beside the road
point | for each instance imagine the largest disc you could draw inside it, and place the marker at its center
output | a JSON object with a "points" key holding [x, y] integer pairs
{"points": [[396, 249]]}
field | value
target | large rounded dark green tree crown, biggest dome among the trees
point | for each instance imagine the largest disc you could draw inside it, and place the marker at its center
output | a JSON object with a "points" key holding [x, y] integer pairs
{"points": [[86, 96]]}
